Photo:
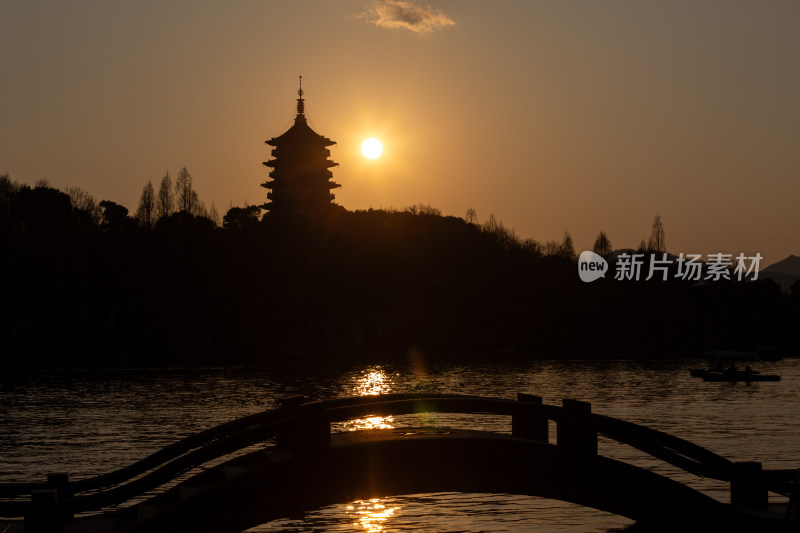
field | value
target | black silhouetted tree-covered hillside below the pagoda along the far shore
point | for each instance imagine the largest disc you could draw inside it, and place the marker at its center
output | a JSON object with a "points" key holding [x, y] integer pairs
{"points": [[87, 284]]}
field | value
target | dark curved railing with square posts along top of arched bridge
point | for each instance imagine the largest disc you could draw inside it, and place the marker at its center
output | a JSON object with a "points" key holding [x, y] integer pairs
{"points": [[304, 426]]}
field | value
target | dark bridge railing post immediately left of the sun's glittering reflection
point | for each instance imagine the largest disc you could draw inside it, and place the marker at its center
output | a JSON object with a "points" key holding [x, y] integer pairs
{"points": [[308, 433]]}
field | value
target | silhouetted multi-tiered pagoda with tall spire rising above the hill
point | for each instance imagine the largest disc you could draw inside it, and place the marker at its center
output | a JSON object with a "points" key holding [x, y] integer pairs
{"points": [[301, 179]]}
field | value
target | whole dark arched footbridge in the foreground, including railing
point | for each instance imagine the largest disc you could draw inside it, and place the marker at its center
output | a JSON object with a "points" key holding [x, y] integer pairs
{"points": [[303, 466]]}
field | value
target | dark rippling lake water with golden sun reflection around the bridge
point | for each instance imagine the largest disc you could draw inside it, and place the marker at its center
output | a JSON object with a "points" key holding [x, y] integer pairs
{"points": [[90, 422]]}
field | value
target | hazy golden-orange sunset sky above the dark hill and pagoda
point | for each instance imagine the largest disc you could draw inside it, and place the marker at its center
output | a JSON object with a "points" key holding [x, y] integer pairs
{"points": [[552, 115]]}
